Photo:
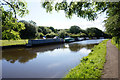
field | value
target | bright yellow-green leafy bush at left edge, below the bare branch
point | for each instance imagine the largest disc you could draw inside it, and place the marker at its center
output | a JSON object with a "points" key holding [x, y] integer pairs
{"points": [[10, 26]]}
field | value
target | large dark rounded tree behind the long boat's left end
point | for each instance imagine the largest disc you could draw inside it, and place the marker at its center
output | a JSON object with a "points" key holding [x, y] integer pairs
{"points": [[29, 32]]}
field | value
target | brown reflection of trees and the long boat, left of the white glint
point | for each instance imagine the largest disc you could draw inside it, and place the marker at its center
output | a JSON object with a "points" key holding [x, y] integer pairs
{"points": [[23, 55]]}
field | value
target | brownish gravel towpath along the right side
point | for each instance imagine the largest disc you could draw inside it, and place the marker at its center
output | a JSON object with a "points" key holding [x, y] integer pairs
{"points": [[111, 65]]}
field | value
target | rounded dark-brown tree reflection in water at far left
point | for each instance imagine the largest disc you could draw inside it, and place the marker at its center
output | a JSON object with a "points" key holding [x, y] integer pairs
{"points": [[21, 56]]}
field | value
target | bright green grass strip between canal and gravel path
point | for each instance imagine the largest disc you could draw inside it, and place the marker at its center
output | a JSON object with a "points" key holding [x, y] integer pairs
{"points": [[91, 66]]}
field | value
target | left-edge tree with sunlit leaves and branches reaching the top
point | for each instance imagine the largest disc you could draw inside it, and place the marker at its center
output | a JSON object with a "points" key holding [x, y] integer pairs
{"points": [[10, 26]]}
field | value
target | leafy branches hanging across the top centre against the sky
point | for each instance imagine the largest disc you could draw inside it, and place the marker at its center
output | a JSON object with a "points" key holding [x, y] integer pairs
{"points": [[81, 9]]}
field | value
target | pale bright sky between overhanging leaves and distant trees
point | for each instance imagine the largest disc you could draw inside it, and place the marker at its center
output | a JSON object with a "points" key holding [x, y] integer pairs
{"points": [[57, 19]]}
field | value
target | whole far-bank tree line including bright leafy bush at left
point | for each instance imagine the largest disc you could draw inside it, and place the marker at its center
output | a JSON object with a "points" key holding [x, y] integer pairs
{"points": [[14, 29]]}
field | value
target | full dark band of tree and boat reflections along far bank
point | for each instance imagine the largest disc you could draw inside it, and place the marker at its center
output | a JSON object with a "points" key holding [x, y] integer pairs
{"points": [[23, 55]]}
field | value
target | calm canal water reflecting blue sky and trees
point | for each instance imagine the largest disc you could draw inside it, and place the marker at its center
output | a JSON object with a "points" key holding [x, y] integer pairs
{"points": [[51, 61]]}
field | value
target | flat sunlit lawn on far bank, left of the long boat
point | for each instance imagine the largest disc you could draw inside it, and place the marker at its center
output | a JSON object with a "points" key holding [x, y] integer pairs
{"points": [[12, 42]]}
